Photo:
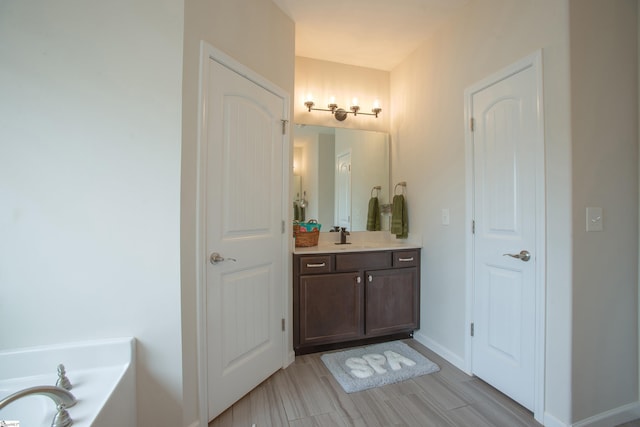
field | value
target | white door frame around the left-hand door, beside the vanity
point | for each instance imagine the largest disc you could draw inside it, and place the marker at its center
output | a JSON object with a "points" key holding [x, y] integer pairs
{"points": [[208, 52]]}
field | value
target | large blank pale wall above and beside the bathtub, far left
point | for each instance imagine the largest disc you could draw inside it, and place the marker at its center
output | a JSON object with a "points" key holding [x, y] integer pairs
{"points": [[90, 105]]}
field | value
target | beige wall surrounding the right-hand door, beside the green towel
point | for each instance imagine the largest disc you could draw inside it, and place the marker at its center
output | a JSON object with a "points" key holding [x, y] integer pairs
{"points": [[428, 130]]}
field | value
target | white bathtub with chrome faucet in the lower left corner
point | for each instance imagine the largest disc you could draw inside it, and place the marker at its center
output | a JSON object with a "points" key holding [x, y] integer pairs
{"points": [[102, 374]]}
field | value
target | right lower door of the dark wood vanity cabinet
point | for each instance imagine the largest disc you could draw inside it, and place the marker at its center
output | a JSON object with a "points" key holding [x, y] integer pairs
{"points": [[391, 301]]}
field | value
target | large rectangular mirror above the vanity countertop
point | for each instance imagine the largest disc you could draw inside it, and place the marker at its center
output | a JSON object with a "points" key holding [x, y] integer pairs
{"points": [[336, 171]]}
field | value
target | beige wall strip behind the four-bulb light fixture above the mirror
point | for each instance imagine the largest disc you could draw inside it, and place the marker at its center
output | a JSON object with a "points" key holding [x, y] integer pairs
{"points": [[325, 79]]}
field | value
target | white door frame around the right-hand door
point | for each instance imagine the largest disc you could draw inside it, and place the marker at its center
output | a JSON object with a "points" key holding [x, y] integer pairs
{"points": [[532, 61]]}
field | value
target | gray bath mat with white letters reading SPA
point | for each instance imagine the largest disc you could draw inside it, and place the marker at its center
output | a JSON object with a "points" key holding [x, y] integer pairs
{"points": [[372, 366]]}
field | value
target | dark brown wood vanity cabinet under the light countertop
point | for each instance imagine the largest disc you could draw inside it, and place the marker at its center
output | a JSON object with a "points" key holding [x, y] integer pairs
{"points": [[354, 296]]}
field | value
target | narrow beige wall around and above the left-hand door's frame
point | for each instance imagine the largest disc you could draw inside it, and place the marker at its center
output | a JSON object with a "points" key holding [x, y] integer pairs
{"points": [[260, 36]]}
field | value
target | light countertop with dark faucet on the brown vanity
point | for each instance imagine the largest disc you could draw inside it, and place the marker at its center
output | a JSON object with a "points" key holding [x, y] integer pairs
{"points": [[357, 242]]}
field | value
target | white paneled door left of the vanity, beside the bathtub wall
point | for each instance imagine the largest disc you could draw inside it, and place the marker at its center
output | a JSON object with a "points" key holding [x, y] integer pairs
{"points": [[244, 240]]}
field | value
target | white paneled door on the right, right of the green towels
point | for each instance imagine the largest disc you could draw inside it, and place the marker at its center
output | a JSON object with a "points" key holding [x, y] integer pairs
{"points": [[505, 133]]}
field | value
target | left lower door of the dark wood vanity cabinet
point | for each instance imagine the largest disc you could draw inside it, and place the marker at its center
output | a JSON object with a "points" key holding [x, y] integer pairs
{"points": [[330, 308]]}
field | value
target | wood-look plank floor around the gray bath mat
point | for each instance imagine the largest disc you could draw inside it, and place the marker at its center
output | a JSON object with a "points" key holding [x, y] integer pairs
{"points": [[305, 394]]}
